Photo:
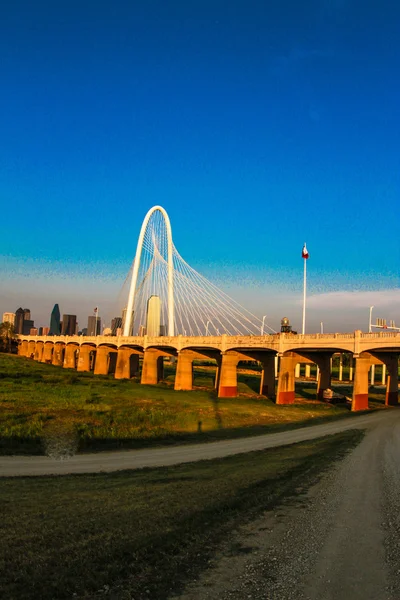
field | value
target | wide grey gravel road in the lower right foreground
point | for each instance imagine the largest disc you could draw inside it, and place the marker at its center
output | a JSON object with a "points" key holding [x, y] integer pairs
{"points": [[340, 540]]}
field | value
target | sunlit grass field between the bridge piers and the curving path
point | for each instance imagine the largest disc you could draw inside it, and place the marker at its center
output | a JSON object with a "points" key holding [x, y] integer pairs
{"points": [[47, 409]]}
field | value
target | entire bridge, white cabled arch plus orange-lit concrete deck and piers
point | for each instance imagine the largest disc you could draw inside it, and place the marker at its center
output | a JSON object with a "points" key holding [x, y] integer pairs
{"points": [[173, 312]]}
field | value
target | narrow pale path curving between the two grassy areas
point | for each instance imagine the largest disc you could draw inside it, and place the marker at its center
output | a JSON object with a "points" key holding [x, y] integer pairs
{"points": [[159, 457]]}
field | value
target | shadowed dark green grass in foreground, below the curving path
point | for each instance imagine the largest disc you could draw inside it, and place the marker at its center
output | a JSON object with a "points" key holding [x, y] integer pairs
{"points": [[142, 534]]}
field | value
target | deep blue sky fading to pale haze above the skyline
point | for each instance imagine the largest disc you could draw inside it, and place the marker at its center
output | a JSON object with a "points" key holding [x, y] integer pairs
{"points": [[257, 125]]}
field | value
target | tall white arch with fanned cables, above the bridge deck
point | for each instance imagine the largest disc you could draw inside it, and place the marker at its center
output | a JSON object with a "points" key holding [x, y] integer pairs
{"points": [[166, 296]]}
